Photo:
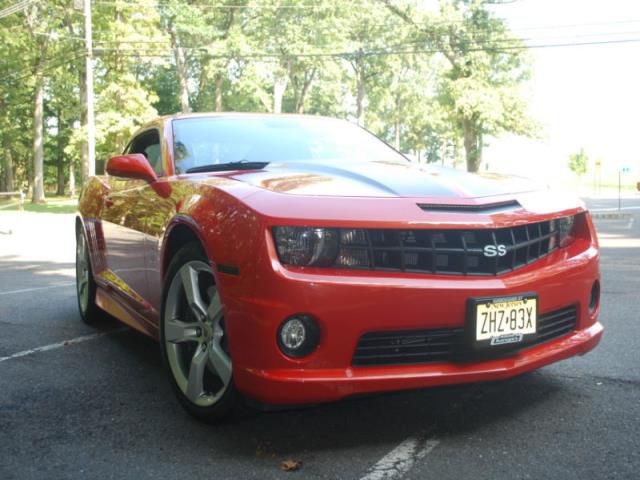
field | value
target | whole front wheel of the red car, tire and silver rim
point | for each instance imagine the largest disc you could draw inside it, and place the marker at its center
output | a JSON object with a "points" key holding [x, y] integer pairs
{"points": [[193, 339]]}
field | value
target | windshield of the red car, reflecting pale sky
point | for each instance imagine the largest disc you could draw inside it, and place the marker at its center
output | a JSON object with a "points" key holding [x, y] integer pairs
{"points": [[217, 140]]}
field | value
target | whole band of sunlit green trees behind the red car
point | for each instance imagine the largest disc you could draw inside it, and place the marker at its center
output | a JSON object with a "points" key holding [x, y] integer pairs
{"points": [[431, 81]]}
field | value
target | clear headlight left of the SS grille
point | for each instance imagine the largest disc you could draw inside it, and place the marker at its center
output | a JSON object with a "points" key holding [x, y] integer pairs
{"points": [[306, 245]]}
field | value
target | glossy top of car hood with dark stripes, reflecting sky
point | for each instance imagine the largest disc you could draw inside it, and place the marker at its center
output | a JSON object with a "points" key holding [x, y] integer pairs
{"points": [[381, 179]]}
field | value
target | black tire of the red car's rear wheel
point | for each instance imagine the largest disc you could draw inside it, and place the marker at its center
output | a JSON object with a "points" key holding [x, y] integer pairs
{"points": [[90, 313]]}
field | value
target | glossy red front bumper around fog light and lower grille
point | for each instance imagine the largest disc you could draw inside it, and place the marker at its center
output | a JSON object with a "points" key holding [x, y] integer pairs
{"points": [[348, 304]]}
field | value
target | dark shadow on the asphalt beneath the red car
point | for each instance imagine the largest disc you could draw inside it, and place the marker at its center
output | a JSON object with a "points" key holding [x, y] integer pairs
{"points": [[367, 421]]}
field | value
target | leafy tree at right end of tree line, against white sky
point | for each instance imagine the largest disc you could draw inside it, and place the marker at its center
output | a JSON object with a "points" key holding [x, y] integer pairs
{"points": [[487, 65]]}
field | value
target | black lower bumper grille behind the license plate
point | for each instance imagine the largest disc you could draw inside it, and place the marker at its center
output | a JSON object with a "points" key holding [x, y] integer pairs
{"points": [[445, 344]]}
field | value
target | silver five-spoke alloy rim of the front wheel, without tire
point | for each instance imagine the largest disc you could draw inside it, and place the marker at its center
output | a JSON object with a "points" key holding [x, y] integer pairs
{"points": [[194, 333]]}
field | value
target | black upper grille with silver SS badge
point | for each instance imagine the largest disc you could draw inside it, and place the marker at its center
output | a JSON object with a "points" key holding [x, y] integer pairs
{"points": [[456, 252]]}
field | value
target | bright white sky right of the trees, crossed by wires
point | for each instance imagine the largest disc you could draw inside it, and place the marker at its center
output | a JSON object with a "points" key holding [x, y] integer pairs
{"points": [[584, 96]]}
